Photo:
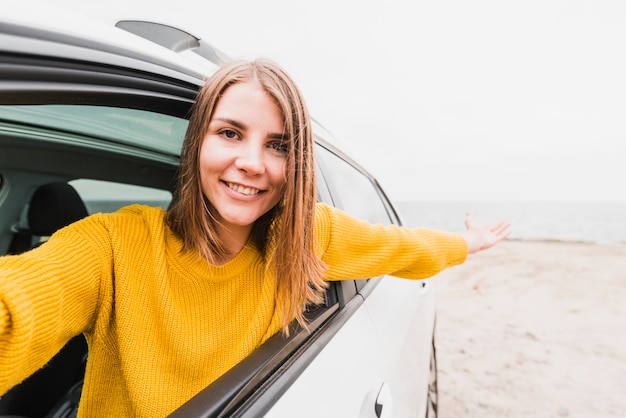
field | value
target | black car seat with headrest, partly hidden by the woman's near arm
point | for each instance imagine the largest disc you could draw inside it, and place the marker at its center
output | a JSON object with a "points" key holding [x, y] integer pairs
{"points": [[52, 207]]}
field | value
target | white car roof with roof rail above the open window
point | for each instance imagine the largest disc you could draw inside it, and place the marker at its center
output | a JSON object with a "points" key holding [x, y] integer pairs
{"points": [[57, 32]]}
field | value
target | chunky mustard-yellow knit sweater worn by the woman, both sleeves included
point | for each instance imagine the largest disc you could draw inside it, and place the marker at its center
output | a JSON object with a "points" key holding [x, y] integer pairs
{"points": [[162, 325]]}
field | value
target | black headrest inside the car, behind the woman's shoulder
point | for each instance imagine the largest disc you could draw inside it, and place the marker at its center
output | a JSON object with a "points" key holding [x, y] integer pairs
{"points": [[53, 206]]}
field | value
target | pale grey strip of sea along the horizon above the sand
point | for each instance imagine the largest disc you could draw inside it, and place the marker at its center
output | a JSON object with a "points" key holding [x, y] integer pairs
{"points": [[585, 222]]}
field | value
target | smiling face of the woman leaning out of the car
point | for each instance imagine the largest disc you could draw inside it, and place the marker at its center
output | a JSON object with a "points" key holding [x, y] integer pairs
{"points": [[243, 158]]}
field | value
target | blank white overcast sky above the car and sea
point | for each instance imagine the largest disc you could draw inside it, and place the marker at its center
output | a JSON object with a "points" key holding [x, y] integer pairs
{"points": [[441, 100]]}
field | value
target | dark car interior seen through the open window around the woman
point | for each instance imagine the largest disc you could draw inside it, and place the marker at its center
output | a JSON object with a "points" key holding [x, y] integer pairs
{"points": [[49, 178]]}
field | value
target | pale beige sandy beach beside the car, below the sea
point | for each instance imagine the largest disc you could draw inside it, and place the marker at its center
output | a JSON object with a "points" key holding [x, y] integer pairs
{"points": [[533, 329]]}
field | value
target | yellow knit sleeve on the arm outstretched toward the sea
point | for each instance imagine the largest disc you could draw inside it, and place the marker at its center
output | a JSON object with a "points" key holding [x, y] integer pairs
{"points": [[355, 249]]}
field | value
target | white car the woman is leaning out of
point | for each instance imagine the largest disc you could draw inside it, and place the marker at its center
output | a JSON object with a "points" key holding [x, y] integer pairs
{"points": [[92, 118]]}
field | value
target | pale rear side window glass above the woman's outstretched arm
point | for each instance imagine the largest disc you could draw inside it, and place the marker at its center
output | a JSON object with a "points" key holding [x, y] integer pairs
{"points": [[352, 191]]}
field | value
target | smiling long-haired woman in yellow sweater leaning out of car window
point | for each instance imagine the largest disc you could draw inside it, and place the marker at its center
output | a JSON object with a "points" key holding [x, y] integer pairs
{"points": [[169, 301]]}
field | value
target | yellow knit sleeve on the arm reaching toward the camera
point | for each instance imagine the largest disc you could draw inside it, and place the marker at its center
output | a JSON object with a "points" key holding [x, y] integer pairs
{"points": [[47, 296]]}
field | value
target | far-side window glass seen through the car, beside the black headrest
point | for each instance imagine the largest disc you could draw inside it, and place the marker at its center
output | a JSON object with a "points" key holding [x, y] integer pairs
{"points": [[105, 196]]}
